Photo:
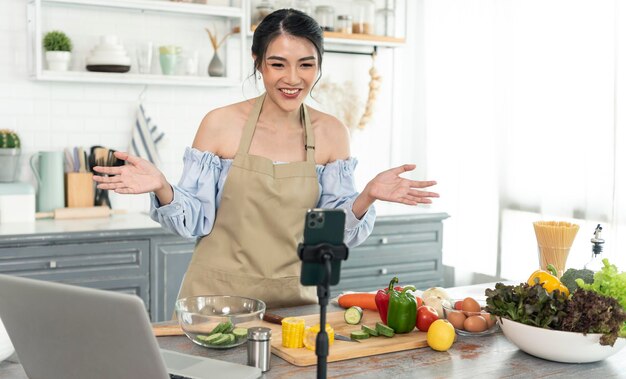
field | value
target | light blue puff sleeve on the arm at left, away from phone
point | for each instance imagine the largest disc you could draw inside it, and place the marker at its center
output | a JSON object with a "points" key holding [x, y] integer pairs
{"points": [[196, 197]]}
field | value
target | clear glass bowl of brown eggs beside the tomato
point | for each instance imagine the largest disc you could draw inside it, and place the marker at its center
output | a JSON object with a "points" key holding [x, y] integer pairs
{"points": [[476, 322]]}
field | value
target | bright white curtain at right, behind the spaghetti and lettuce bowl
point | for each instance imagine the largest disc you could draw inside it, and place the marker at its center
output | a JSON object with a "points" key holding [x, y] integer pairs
{"points": [[523, 124]]}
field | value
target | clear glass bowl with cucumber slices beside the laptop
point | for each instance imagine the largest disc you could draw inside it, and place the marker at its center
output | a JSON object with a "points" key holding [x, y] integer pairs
{"points": [[218, 322]]}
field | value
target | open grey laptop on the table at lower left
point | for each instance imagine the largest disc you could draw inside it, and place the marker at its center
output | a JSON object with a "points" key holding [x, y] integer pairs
{"points": [[65, 331]]}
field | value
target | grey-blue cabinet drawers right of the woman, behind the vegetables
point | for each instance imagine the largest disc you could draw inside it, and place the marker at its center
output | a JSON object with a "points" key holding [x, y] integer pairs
{"points": [[409, 247]]}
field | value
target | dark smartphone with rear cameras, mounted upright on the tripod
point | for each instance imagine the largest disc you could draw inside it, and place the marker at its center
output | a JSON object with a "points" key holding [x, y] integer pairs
{"points": [[322, 226]]}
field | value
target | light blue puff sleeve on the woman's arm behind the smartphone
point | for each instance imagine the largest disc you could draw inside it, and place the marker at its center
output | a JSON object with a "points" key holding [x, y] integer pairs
{"points": [[338, 191]]}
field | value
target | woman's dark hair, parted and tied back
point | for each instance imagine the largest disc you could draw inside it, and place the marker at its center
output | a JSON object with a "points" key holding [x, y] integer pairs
{"points": [[289, 22]]}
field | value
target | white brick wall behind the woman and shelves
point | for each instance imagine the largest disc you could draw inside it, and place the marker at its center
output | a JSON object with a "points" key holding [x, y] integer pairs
{"points": [[53, 115]]}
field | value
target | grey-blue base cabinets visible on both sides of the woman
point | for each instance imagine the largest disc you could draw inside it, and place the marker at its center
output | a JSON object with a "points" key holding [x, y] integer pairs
{"points": [[151, 262]]}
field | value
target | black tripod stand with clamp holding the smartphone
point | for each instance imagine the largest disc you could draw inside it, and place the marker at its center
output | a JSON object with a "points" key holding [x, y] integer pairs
{"points": [[325, 254]]}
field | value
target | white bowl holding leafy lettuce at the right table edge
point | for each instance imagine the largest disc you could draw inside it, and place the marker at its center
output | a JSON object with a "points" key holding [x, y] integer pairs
{"points": [[558, 346]]}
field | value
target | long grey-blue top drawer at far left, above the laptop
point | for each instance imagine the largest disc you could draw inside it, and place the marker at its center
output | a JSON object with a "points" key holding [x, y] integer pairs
{"points": [[79, 260]]}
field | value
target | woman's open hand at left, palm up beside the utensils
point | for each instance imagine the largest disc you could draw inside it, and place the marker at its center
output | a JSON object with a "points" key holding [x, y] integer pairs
{"points": [[136, 176]]}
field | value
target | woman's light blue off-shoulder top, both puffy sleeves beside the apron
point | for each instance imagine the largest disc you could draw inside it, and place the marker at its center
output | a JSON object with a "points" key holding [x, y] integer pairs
{"points": [[198, 195]]}
